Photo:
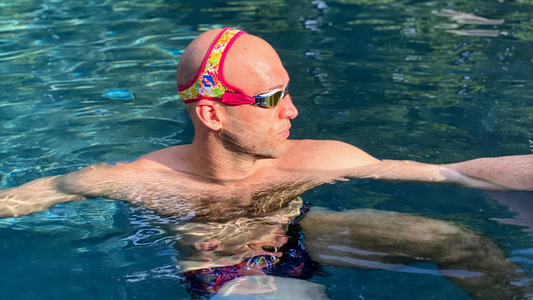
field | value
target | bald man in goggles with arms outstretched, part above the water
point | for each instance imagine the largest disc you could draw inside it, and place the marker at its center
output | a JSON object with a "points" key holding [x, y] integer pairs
{"points": [[240, 163]]}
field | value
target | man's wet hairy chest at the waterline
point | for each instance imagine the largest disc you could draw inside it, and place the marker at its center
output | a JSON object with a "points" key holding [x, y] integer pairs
{"points": [[206, 200]]}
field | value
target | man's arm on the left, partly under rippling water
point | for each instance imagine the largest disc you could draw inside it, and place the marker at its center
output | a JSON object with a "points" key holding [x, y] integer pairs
{"points": [[43, 193]]}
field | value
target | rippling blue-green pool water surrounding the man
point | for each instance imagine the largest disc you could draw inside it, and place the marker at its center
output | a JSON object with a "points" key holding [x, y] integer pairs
{"points": [[83, 82]]}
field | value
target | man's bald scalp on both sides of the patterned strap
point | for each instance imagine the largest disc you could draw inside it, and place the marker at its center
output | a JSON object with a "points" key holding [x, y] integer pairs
{"points": [[251, 63]]}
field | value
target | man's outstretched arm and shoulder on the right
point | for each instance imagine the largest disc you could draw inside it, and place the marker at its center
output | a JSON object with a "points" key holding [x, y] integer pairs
{"points": [[333, 159]]}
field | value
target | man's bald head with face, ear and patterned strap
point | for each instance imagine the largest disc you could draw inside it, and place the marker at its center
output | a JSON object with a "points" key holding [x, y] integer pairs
{"points": [[243, 132]]}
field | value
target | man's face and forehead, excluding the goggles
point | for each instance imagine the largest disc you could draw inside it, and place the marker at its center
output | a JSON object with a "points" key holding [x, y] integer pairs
{"points": [[249, 129]]}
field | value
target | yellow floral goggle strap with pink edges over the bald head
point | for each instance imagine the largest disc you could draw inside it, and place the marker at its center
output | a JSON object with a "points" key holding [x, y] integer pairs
{"points": [[209, 83]]}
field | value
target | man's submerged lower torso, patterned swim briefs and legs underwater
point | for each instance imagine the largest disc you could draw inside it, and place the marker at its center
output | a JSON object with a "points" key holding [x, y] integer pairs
{"points": [[363, 239]]}
